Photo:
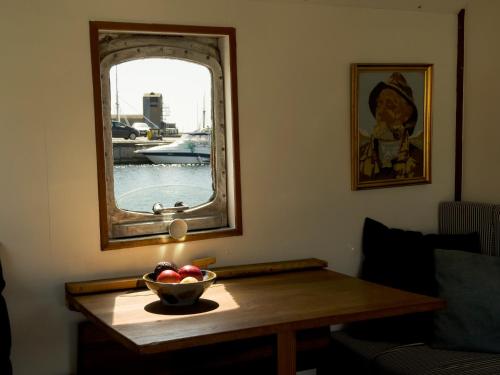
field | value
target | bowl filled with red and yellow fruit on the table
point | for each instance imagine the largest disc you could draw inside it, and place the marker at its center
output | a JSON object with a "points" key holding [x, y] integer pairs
{"points": [[178, 286]]}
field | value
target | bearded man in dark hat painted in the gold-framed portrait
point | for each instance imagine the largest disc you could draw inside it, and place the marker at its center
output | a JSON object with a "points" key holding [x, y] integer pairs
{"points": [[389, 153]]}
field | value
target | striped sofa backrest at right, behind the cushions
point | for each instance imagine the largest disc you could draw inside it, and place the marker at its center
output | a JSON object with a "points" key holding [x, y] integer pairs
{"points": [[467, 217]]}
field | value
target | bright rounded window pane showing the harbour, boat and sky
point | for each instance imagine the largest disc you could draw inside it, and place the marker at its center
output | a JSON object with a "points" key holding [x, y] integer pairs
{"points": [[163, 168]]}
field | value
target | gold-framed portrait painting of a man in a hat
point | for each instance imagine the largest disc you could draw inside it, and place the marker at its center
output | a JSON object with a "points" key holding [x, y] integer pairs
{"points": [[390, 124]]}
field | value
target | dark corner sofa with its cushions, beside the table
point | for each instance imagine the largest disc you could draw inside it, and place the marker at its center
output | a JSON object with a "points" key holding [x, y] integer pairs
{"points": [[460, 264]]}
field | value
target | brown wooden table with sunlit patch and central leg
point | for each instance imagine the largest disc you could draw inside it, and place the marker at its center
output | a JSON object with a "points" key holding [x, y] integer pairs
{"points": [[277, 304]]}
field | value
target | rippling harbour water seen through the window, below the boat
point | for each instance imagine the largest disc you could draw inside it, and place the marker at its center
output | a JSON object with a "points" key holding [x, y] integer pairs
{"points": [[139, 187]]}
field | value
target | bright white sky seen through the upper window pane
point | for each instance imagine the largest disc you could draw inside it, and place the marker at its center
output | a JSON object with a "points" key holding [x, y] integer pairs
{"points": [[185, 87]]}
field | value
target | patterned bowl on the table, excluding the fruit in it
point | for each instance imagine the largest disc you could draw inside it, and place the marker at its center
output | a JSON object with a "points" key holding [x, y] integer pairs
{"points": [[177, 294]]}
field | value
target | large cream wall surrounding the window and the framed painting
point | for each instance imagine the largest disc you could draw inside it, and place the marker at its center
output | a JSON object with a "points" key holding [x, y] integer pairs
{"points": [[293, 76]]}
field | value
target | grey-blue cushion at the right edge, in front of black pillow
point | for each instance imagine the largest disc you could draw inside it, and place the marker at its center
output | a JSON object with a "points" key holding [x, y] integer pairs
{"points": [[470, 284]]}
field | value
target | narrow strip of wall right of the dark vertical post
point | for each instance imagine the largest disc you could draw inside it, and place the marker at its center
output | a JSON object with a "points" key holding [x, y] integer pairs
{"points": [[481, 151]]}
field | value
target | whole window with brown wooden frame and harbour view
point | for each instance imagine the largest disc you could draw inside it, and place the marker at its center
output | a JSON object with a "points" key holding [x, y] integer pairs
{"points": [[166, 132]]}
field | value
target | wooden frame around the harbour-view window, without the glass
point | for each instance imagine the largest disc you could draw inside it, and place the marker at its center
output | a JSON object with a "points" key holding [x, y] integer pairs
{"points": [[110, 236]]}
